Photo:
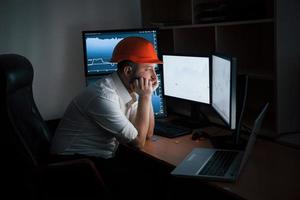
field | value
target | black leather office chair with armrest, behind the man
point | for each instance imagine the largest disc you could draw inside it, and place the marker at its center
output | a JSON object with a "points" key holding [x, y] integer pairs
{"points": [[25, 140]]}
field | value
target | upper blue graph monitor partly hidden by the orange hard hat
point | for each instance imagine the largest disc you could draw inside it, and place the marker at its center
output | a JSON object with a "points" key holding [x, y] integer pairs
{"points": [[99, 45]]}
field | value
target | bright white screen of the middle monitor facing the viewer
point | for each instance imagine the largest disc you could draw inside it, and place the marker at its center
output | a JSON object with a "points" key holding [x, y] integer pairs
{"points": [[187, 77]]}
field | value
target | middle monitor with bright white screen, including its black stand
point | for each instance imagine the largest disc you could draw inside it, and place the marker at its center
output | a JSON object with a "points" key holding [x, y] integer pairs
{"points": [[187, 85]]}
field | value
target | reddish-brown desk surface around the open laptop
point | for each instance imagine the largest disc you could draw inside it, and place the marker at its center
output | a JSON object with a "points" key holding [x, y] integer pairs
{"points": [[272, 171]]}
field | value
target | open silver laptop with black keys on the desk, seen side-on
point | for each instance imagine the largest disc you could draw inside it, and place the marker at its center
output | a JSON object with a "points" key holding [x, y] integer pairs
{"points": [[218, 164]]}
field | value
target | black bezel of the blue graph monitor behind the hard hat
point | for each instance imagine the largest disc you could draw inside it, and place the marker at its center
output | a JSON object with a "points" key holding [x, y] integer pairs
{"points": [[83, 33]]}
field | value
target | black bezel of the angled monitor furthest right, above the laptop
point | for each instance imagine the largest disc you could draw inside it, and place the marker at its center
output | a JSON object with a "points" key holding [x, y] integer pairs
{"points": [[233, 97]]}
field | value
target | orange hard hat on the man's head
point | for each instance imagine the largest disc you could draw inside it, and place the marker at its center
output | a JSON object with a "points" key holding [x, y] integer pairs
{"points": [[135, 49]]}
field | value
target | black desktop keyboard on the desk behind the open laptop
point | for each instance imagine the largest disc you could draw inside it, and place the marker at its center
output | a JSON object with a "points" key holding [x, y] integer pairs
{"points": [[166, 129]]}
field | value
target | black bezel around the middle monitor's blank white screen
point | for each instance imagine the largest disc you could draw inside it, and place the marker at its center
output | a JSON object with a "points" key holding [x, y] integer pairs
{"points": [[192, 55]]}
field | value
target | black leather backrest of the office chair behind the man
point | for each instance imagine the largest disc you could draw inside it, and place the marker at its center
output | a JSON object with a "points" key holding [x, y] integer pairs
{"points": [[27, 132]]}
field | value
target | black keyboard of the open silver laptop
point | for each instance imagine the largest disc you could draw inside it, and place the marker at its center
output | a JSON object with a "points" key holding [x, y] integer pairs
{"points": [[219, 163]]}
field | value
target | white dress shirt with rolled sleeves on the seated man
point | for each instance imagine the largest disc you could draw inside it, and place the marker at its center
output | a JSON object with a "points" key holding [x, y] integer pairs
{"points": [[97, 120]]}
